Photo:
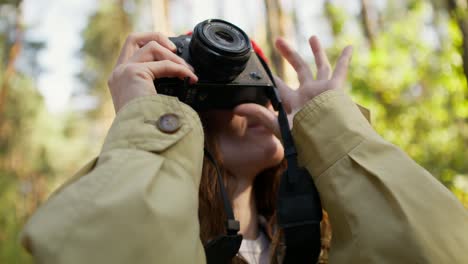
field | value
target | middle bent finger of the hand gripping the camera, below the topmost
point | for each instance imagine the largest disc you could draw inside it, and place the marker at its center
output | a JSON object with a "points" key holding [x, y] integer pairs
{"points": [[153, 51]]}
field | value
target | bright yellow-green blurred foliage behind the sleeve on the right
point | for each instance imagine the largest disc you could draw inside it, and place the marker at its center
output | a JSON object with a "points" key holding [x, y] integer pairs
{"points": [[415, 89]]}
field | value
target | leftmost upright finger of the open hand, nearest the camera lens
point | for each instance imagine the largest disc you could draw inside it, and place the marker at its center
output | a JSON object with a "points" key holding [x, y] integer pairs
{"points": [[296, 61]]}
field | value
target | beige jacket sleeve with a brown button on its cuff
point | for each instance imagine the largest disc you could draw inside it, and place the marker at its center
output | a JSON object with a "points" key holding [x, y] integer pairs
{"points": [[137, 203]]}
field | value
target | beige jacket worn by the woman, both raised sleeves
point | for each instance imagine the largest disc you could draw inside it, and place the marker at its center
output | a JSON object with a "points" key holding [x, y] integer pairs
{"points": [[137, 202]]}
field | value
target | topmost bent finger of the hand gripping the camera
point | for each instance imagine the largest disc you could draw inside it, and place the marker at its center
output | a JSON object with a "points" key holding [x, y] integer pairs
{"points": [[137, 40]]}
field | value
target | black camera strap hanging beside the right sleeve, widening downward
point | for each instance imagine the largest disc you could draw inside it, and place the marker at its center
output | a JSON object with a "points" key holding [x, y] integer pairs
{"points": [[299, 209]]}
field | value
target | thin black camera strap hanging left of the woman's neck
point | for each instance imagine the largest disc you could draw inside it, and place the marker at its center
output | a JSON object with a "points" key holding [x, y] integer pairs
{"points": [[224, 247]]}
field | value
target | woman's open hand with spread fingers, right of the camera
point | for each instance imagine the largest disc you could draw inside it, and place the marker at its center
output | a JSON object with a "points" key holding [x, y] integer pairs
{"points": [[294, 99]]}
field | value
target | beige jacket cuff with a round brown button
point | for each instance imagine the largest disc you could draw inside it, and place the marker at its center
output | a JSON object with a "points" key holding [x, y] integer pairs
{"points": [[136, 124]]}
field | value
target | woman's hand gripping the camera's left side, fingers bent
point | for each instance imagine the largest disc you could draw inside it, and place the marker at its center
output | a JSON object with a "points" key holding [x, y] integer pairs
{"points": [[143, 58]]}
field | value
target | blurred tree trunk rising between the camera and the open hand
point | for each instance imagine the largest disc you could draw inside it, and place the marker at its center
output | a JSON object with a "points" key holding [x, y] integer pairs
{"points": [[274, 29]]}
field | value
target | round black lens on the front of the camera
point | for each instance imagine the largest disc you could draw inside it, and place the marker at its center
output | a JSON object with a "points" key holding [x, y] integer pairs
{"points": [[219, 51]]}
